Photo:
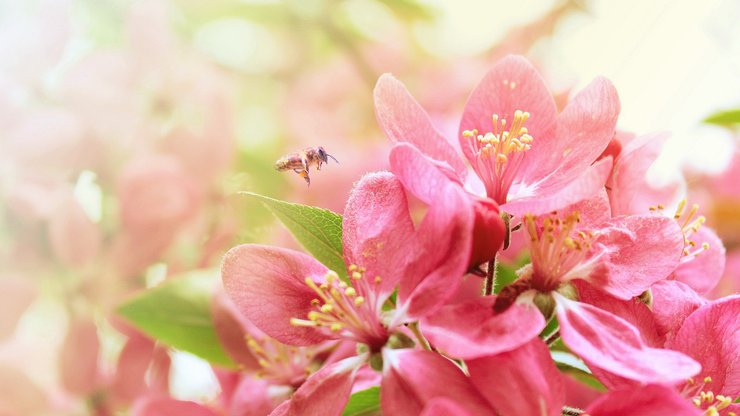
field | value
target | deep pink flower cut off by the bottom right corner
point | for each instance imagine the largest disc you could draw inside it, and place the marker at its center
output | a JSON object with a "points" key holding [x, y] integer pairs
{"points": [[682, 321]]}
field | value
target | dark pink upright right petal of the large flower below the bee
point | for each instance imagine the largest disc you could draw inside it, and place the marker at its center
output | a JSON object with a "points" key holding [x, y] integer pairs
{"points": [[443, 243]]}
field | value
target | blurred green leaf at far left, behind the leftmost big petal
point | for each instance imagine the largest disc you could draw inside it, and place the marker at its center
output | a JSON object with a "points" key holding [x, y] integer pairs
{"points": [[178, 313]]}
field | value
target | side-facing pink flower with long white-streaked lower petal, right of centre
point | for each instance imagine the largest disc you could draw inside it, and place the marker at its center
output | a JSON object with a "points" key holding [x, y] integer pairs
{"points": [[622, 256]]}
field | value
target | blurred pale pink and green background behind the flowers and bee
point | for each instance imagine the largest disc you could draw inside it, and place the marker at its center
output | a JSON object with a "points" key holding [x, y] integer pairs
{"points": [[127, 129]]}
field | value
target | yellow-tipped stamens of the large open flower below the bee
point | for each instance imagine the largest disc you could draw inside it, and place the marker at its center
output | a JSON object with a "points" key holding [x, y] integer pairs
{"points": [[346, 310]]}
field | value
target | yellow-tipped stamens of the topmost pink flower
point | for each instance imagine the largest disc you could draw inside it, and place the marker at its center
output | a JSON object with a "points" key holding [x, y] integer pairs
{"points": [[499, 153]]}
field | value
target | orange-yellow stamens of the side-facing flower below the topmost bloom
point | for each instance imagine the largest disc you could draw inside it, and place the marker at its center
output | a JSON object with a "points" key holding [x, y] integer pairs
{"points": [[556, 248]]}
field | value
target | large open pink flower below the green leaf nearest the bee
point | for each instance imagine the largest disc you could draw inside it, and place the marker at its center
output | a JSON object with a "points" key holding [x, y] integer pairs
{"points": [[296, 300]]}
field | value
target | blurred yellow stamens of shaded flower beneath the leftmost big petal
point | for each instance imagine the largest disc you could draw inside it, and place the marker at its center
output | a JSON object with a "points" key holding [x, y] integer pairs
{"points": [[284, 364]]}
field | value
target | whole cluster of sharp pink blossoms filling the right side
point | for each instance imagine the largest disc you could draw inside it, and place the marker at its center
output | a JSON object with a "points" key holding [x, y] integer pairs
{"points": [[613, 280]]}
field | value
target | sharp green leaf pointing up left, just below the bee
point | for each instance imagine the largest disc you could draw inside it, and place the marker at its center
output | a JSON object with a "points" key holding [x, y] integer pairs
{"points": [[317, 229]]}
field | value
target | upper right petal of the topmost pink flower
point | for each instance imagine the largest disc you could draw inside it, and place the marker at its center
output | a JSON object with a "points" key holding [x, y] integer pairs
{"points": [[583, 131]]}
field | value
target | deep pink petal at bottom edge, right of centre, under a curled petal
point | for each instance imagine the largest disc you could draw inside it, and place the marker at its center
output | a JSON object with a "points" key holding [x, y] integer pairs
{"points": [[524, 381]]}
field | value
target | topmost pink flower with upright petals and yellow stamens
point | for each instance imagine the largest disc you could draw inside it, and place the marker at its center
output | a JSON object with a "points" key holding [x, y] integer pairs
{"points": [[529, 158]]}
